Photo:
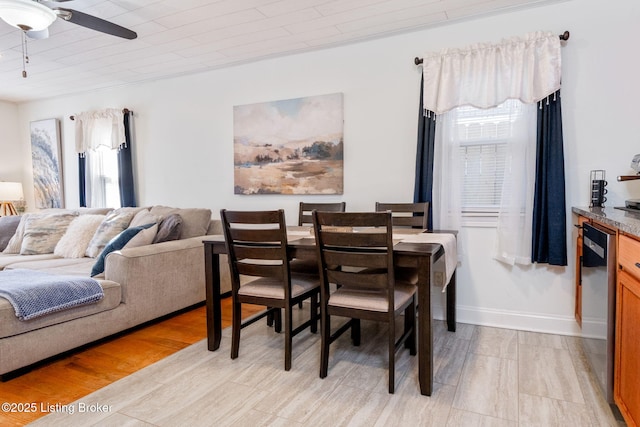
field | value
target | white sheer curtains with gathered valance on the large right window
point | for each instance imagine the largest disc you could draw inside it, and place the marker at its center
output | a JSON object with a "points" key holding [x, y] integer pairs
{"points": [[525, 69]]}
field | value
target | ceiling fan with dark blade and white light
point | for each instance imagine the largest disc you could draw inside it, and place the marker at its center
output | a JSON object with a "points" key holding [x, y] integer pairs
{"points": [[35, 16]]}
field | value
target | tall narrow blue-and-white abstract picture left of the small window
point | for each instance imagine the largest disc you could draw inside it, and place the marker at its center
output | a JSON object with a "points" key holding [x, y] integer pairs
{"points": [[47, 169]]}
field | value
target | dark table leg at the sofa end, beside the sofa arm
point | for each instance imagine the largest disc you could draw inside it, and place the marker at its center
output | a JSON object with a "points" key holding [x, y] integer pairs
{"points": [[214, 314]]}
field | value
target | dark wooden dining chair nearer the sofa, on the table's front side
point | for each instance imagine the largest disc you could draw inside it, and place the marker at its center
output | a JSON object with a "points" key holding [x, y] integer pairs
{"points": [[256, 243]]}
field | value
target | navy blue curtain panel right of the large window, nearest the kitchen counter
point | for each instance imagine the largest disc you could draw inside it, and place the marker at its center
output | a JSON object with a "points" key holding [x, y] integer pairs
{"points": [[549, 208]]}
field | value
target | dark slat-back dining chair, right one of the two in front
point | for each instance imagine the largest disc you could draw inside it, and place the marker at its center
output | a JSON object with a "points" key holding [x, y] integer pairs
{"points": [[355, 253]]}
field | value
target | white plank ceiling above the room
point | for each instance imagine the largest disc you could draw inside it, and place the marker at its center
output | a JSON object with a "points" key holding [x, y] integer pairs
{"points": [[188, 36]]}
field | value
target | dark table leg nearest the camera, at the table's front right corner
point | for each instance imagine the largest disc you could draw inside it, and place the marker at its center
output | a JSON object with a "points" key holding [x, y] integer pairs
{"points": [[425, 332]]}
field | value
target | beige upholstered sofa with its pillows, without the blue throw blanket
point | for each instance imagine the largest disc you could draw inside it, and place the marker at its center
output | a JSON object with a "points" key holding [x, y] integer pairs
{"points": [[163, 272]]}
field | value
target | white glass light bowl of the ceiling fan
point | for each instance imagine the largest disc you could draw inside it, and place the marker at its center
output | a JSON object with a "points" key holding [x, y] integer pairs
{"points": [[26, 14]]}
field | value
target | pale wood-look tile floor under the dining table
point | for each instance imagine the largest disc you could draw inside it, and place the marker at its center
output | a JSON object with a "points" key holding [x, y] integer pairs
{"points": [[483, 377]]}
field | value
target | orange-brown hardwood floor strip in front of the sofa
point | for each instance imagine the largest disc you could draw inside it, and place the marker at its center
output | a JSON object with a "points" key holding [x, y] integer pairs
{"points": [[67, 379]]}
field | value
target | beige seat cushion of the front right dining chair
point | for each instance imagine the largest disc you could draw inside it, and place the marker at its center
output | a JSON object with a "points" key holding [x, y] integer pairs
{"points": [[371, 300]]}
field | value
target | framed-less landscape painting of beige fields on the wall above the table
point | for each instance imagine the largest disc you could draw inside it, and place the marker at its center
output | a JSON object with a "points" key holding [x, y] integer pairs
{"points": [[292, 146]]}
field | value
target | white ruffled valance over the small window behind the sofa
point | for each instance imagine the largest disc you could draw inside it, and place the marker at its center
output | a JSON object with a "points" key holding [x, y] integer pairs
{"points": [[99, 128]]}
